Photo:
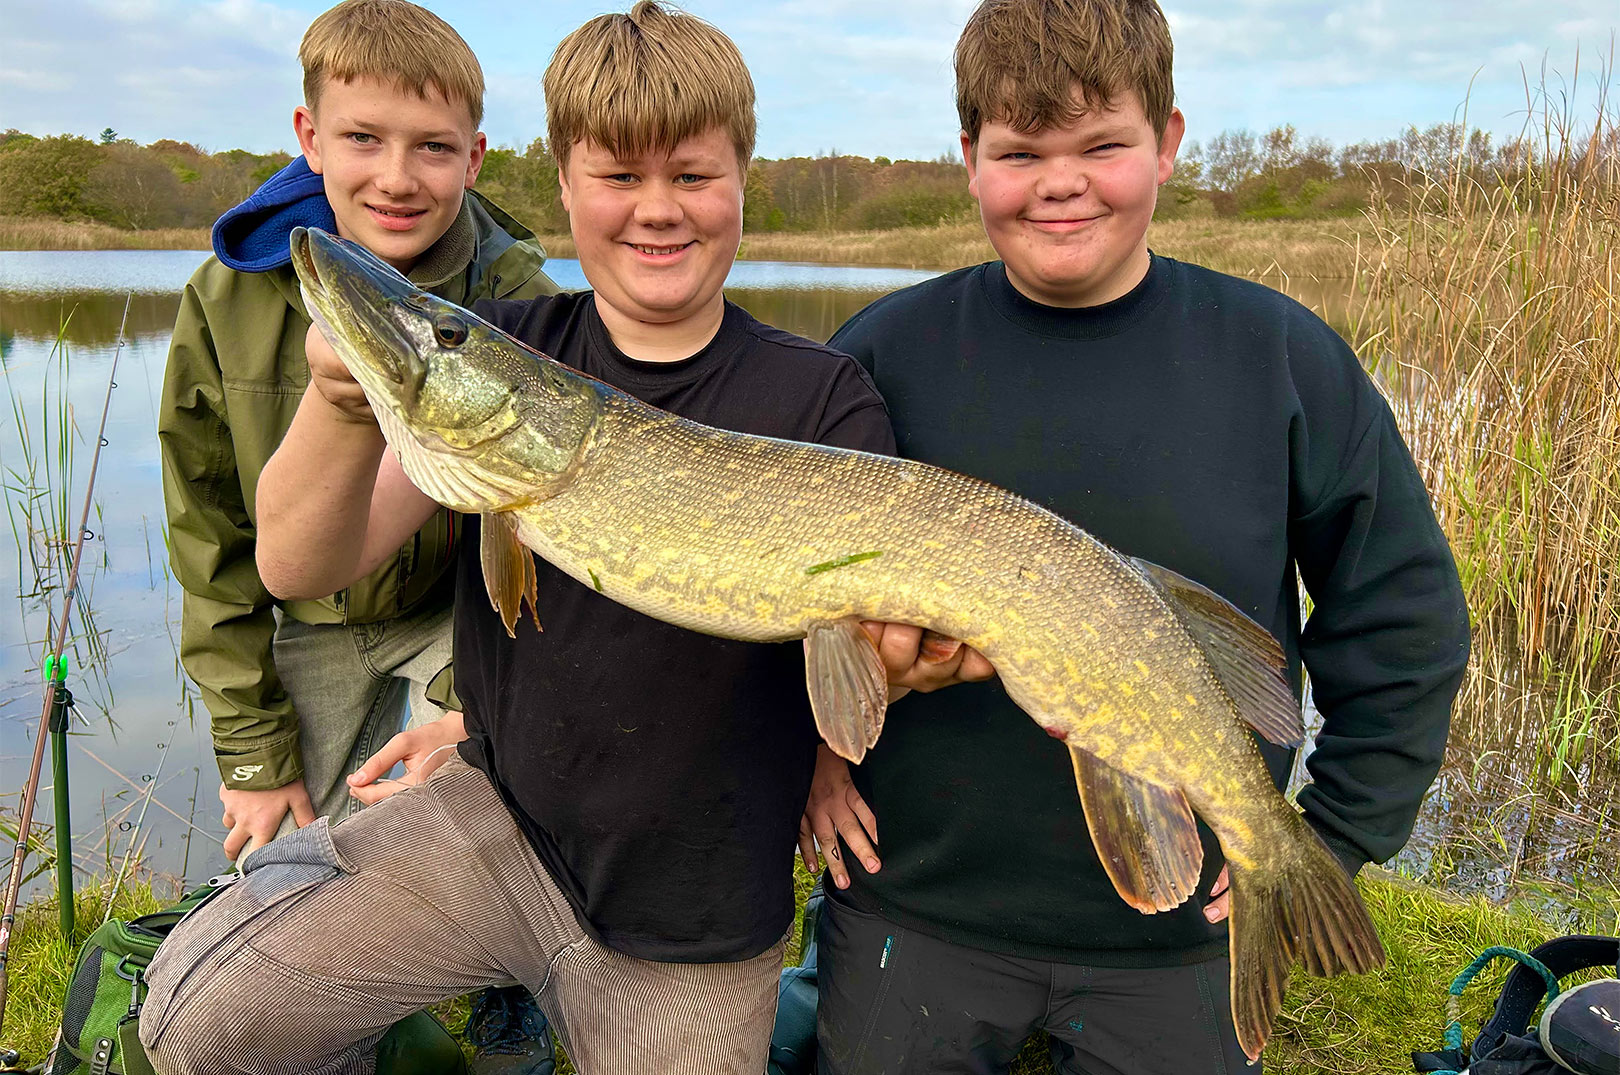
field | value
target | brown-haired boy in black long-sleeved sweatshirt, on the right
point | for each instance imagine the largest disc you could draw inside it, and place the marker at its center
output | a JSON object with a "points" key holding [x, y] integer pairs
{"points": [[1187, 419]]}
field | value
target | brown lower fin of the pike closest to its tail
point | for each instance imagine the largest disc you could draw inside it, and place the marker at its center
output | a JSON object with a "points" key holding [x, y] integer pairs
{"points": [[1143, 833]]}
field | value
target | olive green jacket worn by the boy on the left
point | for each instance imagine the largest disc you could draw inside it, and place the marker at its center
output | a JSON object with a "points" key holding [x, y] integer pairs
{"points": [[236, 376]]}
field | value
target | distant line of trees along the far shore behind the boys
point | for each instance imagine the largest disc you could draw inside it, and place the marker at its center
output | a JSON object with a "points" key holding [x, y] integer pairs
{"points": [[1237, 174]]}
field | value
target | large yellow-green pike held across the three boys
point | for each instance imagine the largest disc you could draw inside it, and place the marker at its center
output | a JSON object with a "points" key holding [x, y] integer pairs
{"points": [[1151, 681]]}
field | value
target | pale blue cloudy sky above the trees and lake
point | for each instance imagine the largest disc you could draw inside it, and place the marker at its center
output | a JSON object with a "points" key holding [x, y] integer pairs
{"points": [[856, 77]]}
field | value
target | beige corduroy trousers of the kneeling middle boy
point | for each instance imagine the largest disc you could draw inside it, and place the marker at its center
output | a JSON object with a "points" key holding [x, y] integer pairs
{"points": [[336, 933]]}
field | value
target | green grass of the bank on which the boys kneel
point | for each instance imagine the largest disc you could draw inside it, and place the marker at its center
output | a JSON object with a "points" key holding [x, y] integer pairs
{"points": [[1366, 1024]]}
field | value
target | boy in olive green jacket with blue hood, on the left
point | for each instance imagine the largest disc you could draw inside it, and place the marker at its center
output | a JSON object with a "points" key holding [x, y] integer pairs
{"points": [[302, 692]]}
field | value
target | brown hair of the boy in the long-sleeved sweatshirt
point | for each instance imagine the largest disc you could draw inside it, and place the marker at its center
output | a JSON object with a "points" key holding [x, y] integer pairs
{"points": [[1020, 62]]}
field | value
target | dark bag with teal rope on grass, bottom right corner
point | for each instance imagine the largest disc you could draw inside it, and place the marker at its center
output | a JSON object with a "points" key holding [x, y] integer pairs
{"points": [[1579, 1029]]}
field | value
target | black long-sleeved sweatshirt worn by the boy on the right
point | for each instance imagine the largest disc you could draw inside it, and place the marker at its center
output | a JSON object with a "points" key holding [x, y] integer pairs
{"points": [[1217, 428]]}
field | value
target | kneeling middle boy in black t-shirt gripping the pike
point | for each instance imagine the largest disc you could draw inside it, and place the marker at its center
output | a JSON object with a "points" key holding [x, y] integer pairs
{"points": [[612, 833]]}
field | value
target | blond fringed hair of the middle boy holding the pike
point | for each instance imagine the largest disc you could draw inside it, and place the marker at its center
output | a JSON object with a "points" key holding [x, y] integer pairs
{"points": [[647, 80]]}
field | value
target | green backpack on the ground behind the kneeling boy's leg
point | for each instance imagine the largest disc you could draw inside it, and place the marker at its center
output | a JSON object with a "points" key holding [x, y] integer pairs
{"points": [[101, 1013]]}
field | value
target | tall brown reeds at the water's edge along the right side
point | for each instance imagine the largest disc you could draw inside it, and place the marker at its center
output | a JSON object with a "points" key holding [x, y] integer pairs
{"points": [[1490, 305]]}
